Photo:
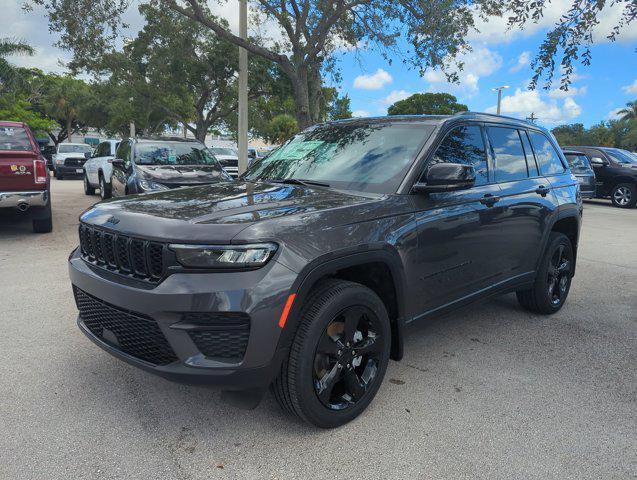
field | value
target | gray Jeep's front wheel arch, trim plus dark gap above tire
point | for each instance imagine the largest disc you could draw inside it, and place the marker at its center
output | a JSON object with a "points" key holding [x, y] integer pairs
{"points": [[379, 269]]}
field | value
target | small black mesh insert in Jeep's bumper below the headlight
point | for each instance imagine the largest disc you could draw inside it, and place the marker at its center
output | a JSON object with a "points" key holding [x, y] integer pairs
{"points": [[220, 335]]}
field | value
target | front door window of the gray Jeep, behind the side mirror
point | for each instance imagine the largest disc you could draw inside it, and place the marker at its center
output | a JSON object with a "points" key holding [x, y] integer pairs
{"points": [[464, 145]]}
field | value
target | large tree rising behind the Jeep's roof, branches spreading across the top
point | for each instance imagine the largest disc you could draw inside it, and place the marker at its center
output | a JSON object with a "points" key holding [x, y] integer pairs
{"points": [[312, 31]]}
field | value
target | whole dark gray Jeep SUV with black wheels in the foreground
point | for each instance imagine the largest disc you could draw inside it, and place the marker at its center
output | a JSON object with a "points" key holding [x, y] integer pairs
{"points": [[303, 274]]}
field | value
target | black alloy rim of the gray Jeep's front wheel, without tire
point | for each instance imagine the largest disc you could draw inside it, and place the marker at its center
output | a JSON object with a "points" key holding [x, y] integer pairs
{"points": [[347, 358]]}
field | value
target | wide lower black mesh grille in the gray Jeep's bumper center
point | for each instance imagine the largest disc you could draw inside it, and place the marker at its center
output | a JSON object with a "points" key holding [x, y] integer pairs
{"points": [[132, 333]]}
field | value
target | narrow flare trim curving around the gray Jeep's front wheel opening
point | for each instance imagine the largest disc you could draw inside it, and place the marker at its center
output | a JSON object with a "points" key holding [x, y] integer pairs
{"points": [[328, 264]]}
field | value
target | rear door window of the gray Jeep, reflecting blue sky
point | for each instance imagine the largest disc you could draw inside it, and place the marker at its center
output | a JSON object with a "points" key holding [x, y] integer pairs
{"points": [[510, 161]]}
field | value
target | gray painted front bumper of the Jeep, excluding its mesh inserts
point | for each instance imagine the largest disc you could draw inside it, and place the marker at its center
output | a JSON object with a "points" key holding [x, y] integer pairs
{"points": [[260, 293]]}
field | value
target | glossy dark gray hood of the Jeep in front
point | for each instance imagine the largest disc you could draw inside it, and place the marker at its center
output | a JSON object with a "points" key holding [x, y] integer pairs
{"points": [[216, 213]]}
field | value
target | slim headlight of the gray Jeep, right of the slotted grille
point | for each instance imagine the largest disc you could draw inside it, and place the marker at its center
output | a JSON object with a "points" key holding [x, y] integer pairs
{"points": [[224, 256]]}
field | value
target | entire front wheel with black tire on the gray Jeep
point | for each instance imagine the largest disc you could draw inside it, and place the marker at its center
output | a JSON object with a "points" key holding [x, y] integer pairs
{"points": [[338, 357]]}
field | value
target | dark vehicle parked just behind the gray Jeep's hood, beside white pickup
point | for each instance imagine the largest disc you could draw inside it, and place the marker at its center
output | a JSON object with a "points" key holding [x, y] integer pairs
{"points": [[149, 165]]}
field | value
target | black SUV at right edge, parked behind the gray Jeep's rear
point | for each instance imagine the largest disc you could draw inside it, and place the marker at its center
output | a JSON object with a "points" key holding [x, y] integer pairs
{"points": [[615, 172]]}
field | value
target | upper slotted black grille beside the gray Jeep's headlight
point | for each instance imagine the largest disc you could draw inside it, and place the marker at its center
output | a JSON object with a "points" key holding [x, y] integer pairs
{"points": [[122, 254]]}
